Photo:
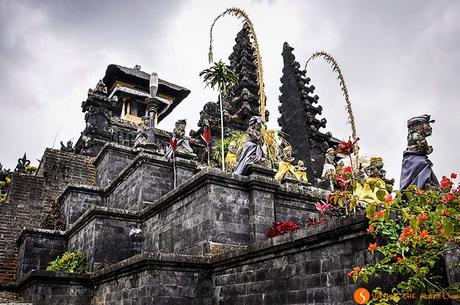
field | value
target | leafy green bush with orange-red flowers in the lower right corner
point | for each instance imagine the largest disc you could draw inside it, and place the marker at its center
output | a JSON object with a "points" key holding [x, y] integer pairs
{"points": [[411, 231]]}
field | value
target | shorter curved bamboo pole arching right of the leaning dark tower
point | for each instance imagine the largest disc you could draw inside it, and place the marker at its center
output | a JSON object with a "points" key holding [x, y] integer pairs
{"points": [[336, 68]]}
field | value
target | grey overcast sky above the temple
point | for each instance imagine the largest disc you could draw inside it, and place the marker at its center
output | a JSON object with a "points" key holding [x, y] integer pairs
{"points": [[399, 58]]}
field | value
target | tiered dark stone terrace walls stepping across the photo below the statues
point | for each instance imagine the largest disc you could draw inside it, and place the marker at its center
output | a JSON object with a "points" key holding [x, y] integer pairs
{"points": [[202, 242]]}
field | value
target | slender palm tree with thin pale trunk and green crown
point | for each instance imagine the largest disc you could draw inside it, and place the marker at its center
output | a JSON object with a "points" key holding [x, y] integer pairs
{"points": [[221, 76]]}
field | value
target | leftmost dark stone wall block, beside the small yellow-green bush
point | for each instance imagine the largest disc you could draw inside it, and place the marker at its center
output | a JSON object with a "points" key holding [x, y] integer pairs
{"points": [[37, 248]]}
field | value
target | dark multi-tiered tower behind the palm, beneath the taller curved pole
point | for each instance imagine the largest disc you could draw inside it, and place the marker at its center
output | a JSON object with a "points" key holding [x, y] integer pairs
{"points": [[242, 100]]}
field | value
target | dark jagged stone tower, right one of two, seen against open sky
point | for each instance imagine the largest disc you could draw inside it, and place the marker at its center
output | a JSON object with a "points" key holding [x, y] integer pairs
{"points": [[299, 111]]}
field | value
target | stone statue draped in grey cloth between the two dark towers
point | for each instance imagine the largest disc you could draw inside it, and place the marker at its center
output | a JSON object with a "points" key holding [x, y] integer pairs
{"points": [[253, 148]]}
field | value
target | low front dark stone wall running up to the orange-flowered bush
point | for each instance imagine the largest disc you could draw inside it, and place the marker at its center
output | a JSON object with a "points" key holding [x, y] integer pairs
{"points": [[311, 270]]}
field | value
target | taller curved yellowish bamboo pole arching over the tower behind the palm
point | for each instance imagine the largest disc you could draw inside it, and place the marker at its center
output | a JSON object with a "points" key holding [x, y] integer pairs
{"points": [[239, 13]]}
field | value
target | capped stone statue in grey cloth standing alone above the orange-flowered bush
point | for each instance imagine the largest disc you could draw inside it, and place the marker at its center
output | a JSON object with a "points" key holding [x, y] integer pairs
{"points": [[416, 167]]}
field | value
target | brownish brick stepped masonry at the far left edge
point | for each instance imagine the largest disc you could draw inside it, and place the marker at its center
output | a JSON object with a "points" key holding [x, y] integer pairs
{"points": [[30, 199]]}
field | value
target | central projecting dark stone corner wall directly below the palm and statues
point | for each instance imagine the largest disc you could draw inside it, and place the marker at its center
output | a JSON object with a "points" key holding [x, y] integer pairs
{"points": [[208, 212]]}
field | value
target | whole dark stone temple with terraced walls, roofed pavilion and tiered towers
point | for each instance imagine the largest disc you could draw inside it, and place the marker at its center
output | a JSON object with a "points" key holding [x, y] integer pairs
{"points": [[202, 241]]}
